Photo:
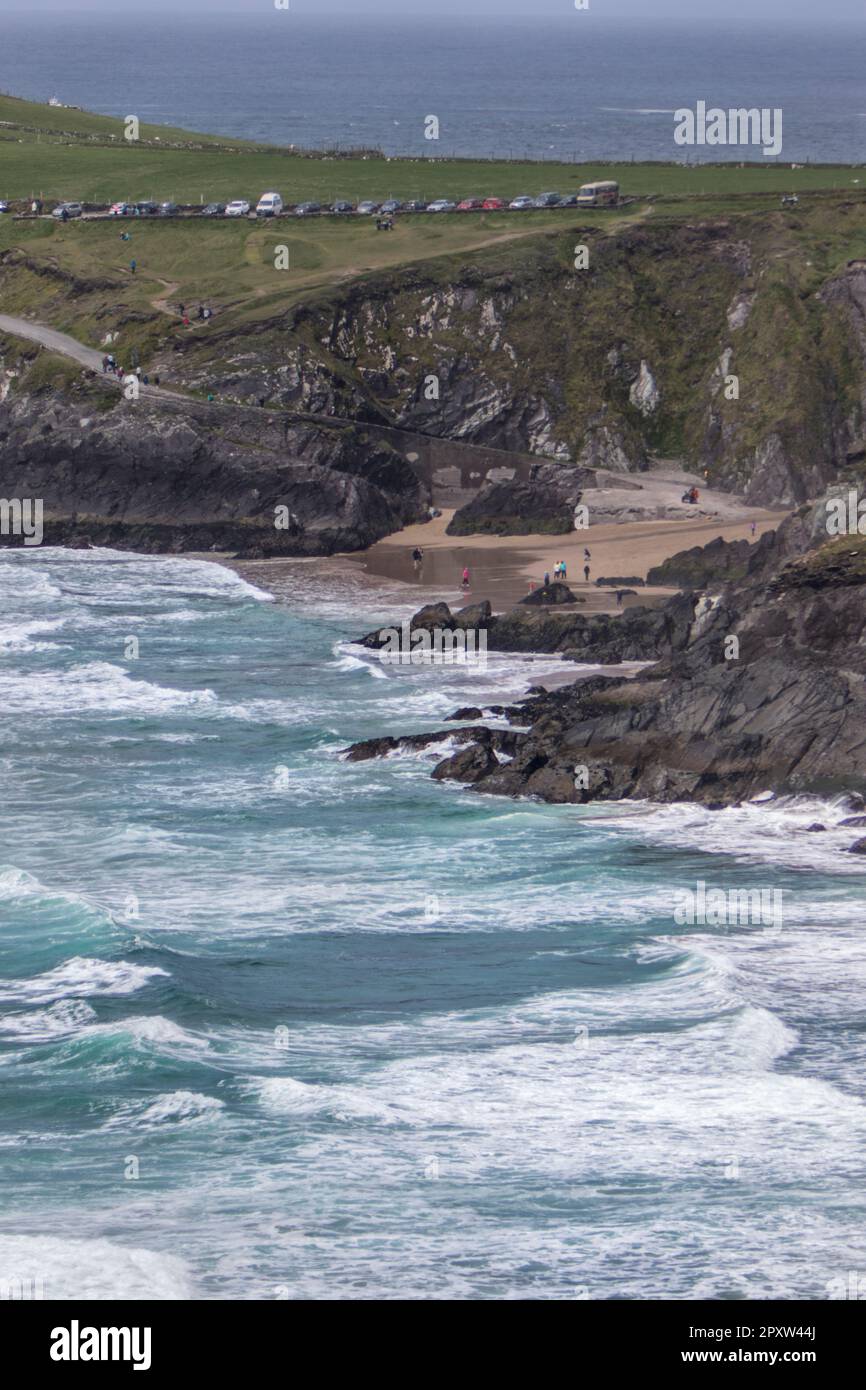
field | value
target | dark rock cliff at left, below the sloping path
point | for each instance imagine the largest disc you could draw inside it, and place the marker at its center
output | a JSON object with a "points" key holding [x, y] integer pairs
{"points": [[161, 475]]}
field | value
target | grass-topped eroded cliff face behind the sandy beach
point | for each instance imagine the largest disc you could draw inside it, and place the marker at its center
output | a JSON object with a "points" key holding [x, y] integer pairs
{"points": [[721, 343]]}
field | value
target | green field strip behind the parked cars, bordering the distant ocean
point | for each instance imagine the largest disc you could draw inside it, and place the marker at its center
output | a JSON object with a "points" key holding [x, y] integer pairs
{"points": [[95, 165]]}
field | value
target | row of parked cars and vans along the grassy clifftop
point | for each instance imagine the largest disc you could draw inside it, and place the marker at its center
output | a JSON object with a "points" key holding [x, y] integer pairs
{"points": [[272, 205]]}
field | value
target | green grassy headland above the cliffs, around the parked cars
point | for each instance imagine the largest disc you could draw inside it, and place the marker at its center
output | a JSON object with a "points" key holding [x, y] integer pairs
{"points": [[77, 276]]}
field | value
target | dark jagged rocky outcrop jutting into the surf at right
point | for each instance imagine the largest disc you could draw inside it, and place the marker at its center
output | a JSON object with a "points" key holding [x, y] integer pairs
{"points": [[758, 686]]}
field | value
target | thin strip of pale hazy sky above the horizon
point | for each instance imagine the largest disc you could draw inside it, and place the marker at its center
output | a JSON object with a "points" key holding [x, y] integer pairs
{"points": [[694, 12]]}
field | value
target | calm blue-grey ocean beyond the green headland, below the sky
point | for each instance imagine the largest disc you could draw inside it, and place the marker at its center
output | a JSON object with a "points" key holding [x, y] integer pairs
{"points": [[582, 88]]}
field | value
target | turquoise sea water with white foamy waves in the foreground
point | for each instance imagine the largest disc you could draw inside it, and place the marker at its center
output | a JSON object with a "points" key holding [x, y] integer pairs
{"points": [[362, 1035]]}
